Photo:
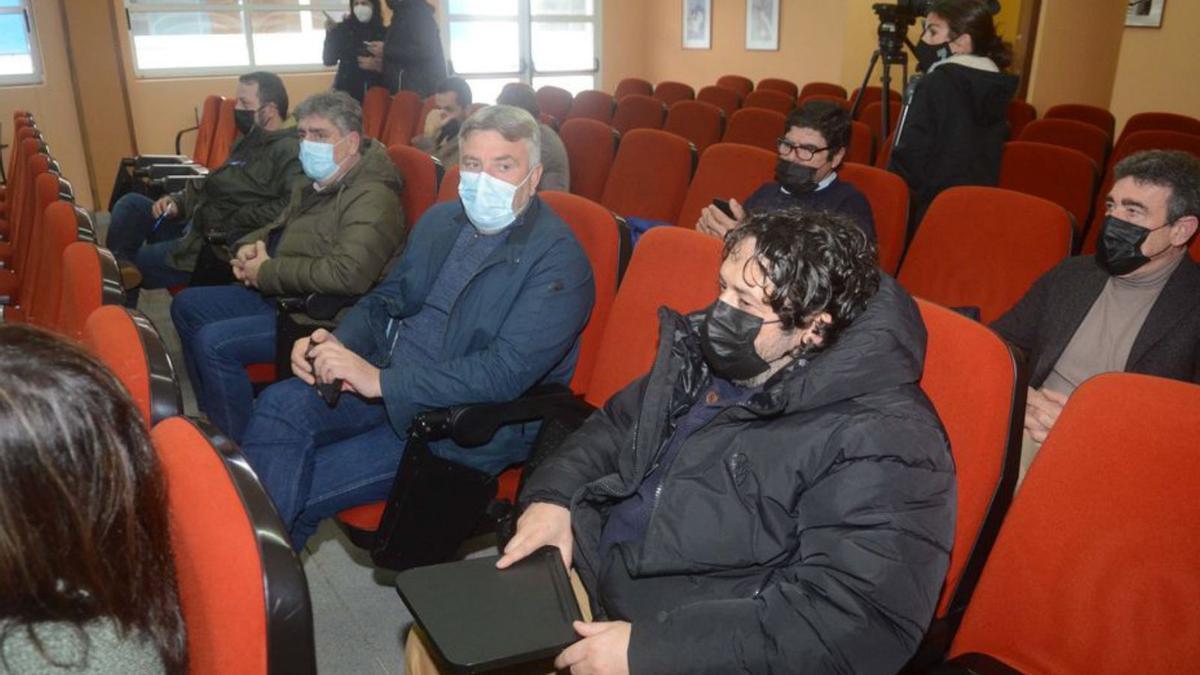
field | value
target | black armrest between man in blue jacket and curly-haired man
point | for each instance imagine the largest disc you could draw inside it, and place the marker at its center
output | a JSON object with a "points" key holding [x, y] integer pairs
{"points": [[472, 426]]}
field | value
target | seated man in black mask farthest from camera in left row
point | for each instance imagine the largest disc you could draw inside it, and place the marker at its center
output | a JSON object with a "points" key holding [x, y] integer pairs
{"points": [[244, 194]]}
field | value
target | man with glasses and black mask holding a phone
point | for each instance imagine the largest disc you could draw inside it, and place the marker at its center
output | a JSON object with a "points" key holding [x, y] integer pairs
{"points": [[812, 150]]}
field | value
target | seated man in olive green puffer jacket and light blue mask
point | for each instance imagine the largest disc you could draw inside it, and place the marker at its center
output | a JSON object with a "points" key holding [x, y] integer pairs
{"points": [[338, 236]]}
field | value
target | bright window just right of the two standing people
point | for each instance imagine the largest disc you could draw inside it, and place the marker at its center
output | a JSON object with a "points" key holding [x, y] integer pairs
{"points": [[541, 43]]}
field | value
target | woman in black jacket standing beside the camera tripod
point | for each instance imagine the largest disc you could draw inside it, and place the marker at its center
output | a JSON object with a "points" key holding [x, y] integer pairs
{"points": [[956, 118]]}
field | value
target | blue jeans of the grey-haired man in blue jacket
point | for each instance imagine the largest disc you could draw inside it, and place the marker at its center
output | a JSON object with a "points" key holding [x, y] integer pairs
{"points": [[315, 461]]}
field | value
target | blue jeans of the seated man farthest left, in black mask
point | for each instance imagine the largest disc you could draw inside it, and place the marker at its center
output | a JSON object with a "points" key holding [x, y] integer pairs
{"points": [[134, 238]]}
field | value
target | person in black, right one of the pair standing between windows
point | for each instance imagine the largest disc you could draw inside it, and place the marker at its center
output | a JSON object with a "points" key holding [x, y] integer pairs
{"points": [[412, 50]]}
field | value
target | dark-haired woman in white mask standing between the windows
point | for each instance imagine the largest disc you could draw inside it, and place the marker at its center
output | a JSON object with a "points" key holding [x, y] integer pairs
{"points": [[346, 45]]}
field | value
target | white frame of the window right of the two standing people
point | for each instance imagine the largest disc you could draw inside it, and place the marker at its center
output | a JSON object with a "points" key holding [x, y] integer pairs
{"points": [[527, 69]]}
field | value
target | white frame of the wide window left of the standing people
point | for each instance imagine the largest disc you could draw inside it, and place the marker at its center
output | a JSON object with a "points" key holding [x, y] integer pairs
{"points": [[243, 8]]}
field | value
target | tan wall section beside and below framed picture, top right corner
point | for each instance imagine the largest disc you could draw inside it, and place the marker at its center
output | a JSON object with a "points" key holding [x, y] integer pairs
{"points": [[1159, 69]]}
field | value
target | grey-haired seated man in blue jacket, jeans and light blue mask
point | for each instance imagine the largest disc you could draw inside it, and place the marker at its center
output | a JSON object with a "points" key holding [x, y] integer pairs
{"points": [[489, 300]]}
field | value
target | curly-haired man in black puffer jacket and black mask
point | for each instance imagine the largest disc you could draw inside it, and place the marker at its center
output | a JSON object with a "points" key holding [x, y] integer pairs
{"points": [[778, 494]]}
